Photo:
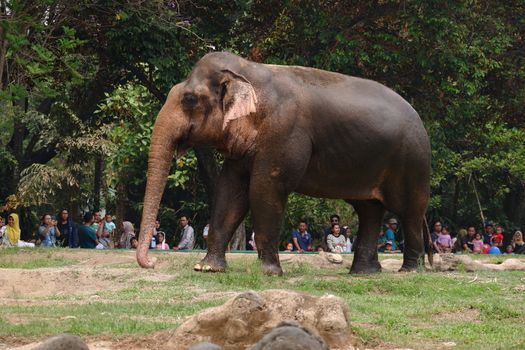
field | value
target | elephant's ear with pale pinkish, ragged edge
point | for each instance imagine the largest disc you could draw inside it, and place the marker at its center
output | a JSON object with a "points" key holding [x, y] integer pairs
{"points": [[238, 97]]}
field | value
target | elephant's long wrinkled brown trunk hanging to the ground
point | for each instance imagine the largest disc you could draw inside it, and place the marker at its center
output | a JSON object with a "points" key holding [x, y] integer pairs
{"points": [[169, 127]]}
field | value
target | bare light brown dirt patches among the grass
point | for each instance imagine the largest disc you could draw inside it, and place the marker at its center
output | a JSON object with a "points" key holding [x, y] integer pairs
{"points": [[91, 273]]}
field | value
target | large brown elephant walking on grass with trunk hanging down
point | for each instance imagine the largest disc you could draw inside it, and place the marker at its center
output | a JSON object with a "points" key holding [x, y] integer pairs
{"points": [[285, 129]]}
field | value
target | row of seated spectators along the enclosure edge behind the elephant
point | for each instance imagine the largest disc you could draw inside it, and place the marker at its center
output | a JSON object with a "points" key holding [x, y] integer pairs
{"points": [[98, 232]]}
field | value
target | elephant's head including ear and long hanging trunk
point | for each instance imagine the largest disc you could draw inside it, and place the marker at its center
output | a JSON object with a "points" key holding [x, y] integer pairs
{"points": [[209, 108]]}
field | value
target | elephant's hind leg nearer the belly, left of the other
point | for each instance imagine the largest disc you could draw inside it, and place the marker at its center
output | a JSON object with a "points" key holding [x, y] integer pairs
{"points": [[370, 215]]}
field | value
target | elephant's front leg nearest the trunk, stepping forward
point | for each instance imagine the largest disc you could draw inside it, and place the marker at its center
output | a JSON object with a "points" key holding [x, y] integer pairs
{"points": [[229, 208]]}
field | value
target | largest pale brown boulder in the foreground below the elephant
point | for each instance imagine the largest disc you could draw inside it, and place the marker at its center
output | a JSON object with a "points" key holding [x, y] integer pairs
{"points": [[246, 318]]}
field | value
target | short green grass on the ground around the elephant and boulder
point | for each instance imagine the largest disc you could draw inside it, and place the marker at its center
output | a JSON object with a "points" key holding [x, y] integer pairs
{"points": [[483, 310]]}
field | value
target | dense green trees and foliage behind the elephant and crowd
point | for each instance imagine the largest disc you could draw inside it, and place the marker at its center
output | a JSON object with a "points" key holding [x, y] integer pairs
{"points": [[458, 64]]}
